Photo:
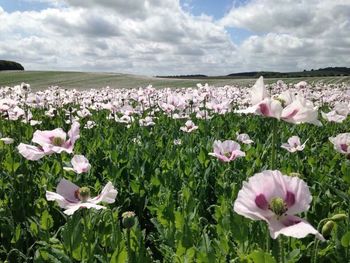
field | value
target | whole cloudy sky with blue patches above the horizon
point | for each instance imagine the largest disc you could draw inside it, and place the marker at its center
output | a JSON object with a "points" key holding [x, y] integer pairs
{"points": [[175, 37]]}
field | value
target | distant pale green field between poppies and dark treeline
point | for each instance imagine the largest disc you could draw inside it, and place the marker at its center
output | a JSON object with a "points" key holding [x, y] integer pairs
{"points": [[40, 80]]}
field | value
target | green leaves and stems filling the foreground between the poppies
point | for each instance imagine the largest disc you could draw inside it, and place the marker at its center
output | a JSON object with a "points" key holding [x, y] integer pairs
{"points": [[182, 197]]}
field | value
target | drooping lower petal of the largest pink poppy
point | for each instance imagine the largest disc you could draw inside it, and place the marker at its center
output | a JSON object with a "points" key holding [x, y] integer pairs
{"points": [[292, 226]]}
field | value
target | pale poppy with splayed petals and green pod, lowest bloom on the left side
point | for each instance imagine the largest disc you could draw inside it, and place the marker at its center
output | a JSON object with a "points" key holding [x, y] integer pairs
{"points": [[71, 197]]}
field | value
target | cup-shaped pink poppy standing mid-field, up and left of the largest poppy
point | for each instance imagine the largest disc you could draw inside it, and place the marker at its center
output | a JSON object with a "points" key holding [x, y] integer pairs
{"points": [[227, 151]]}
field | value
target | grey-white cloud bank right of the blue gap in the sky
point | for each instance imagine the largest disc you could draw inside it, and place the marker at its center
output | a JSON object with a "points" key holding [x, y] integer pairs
{"points": [[293, 35]]}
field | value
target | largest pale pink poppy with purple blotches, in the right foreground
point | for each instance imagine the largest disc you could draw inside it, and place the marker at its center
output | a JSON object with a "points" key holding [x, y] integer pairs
{"points": [[276, 198]]}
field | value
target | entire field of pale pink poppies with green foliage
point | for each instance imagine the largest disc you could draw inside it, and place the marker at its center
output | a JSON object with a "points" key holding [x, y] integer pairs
{"points": [[206, 174]]}
